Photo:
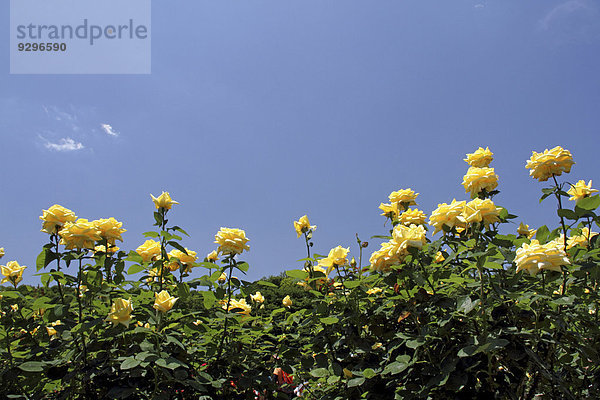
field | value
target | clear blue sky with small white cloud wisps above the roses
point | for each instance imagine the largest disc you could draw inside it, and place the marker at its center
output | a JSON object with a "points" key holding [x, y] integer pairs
{"points": [[258, 112]]}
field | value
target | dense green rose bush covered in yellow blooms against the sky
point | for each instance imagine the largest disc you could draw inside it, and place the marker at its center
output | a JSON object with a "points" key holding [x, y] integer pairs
{"points": [[476, 308]]}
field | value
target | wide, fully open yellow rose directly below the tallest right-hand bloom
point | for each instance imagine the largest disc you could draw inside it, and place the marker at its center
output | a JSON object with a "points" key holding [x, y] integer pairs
{"points": [[535, 257]]}
